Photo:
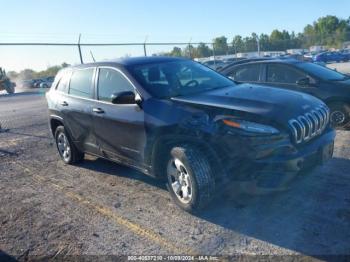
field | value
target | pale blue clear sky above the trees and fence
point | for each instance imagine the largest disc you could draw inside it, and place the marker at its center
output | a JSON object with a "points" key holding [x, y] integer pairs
{"points": [[132, 21]]}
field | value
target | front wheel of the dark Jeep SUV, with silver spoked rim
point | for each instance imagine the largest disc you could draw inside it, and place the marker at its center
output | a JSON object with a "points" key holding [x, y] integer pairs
{"points": [[193, 172]]}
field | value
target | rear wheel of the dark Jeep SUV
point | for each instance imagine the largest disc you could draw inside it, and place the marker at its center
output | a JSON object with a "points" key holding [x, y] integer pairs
{"points": [[66, 148]]}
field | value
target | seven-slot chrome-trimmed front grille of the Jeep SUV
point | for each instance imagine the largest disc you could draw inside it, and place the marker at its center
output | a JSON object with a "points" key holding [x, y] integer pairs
{"points": [[309, 125]]}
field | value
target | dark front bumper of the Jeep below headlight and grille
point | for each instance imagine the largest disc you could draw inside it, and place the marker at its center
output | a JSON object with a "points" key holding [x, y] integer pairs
{"points": [[280, 166]]}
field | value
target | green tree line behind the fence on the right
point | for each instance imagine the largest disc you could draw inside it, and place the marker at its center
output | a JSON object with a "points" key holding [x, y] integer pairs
{"points": [[329, 31]]}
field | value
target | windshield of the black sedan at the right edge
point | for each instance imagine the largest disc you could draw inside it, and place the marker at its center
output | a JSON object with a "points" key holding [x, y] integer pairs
{"points": [[322, 72]]}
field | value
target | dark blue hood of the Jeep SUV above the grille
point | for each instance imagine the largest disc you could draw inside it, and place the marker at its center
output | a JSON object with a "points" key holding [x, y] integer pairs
{"points": [[272, 104]]}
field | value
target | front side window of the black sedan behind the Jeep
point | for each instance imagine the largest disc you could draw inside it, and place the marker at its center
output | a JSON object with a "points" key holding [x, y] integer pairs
{"points": [[277, 73]]}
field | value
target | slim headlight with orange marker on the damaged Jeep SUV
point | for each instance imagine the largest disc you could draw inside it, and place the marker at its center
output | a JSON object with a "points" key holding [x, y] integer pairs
{"points": [[250, 126]]}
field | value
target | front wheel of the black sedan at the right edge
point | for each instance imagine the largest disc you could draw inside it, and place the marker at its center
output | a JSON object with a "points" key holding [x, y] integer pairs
{"points": [[340, 114]]}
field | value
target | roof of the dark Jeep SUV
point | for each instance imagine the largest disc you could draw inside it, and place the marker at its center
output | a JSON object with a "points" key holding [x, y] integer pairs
{"points": [[130, 61]]}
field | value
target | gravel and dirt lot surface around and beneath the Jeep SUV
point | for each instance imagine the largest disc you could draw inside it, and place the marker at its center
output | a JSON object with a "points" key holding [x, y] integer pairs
{"points": [[100, 208]]}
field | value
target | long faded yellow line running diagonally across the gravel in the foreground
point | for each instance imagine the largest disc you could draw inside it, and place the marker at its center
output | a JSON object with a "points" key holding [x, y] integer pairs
{"points": [[132, 226]]}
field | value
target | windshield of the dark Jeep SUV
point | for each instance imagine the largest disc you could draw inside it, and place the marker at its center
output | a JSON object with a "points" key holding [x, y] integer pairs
{"points": [[169, 79]]}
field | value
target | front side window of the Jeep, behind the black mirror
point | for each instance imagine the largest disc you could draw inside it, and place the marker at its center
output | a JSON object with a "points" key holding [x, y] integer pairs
{"points": [[110, 82]]}
